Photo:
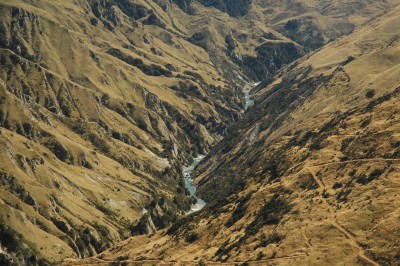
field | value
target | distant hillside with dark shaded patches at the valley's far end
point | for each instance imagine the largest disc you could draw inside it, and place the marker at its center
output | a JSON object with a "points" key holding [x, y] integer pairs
{"points": [[257, 37]]}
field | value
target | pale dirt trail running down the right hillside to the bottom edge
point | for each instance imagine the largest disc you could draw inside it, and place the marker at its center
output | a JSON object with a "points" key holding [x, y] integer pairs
{"points": [[334, 222]]}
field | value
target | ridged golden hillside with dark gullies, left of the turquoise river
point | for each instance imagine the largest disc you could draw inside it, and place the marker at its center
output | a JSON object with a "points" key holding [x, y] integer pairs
{"points": [[101, 103]]}
